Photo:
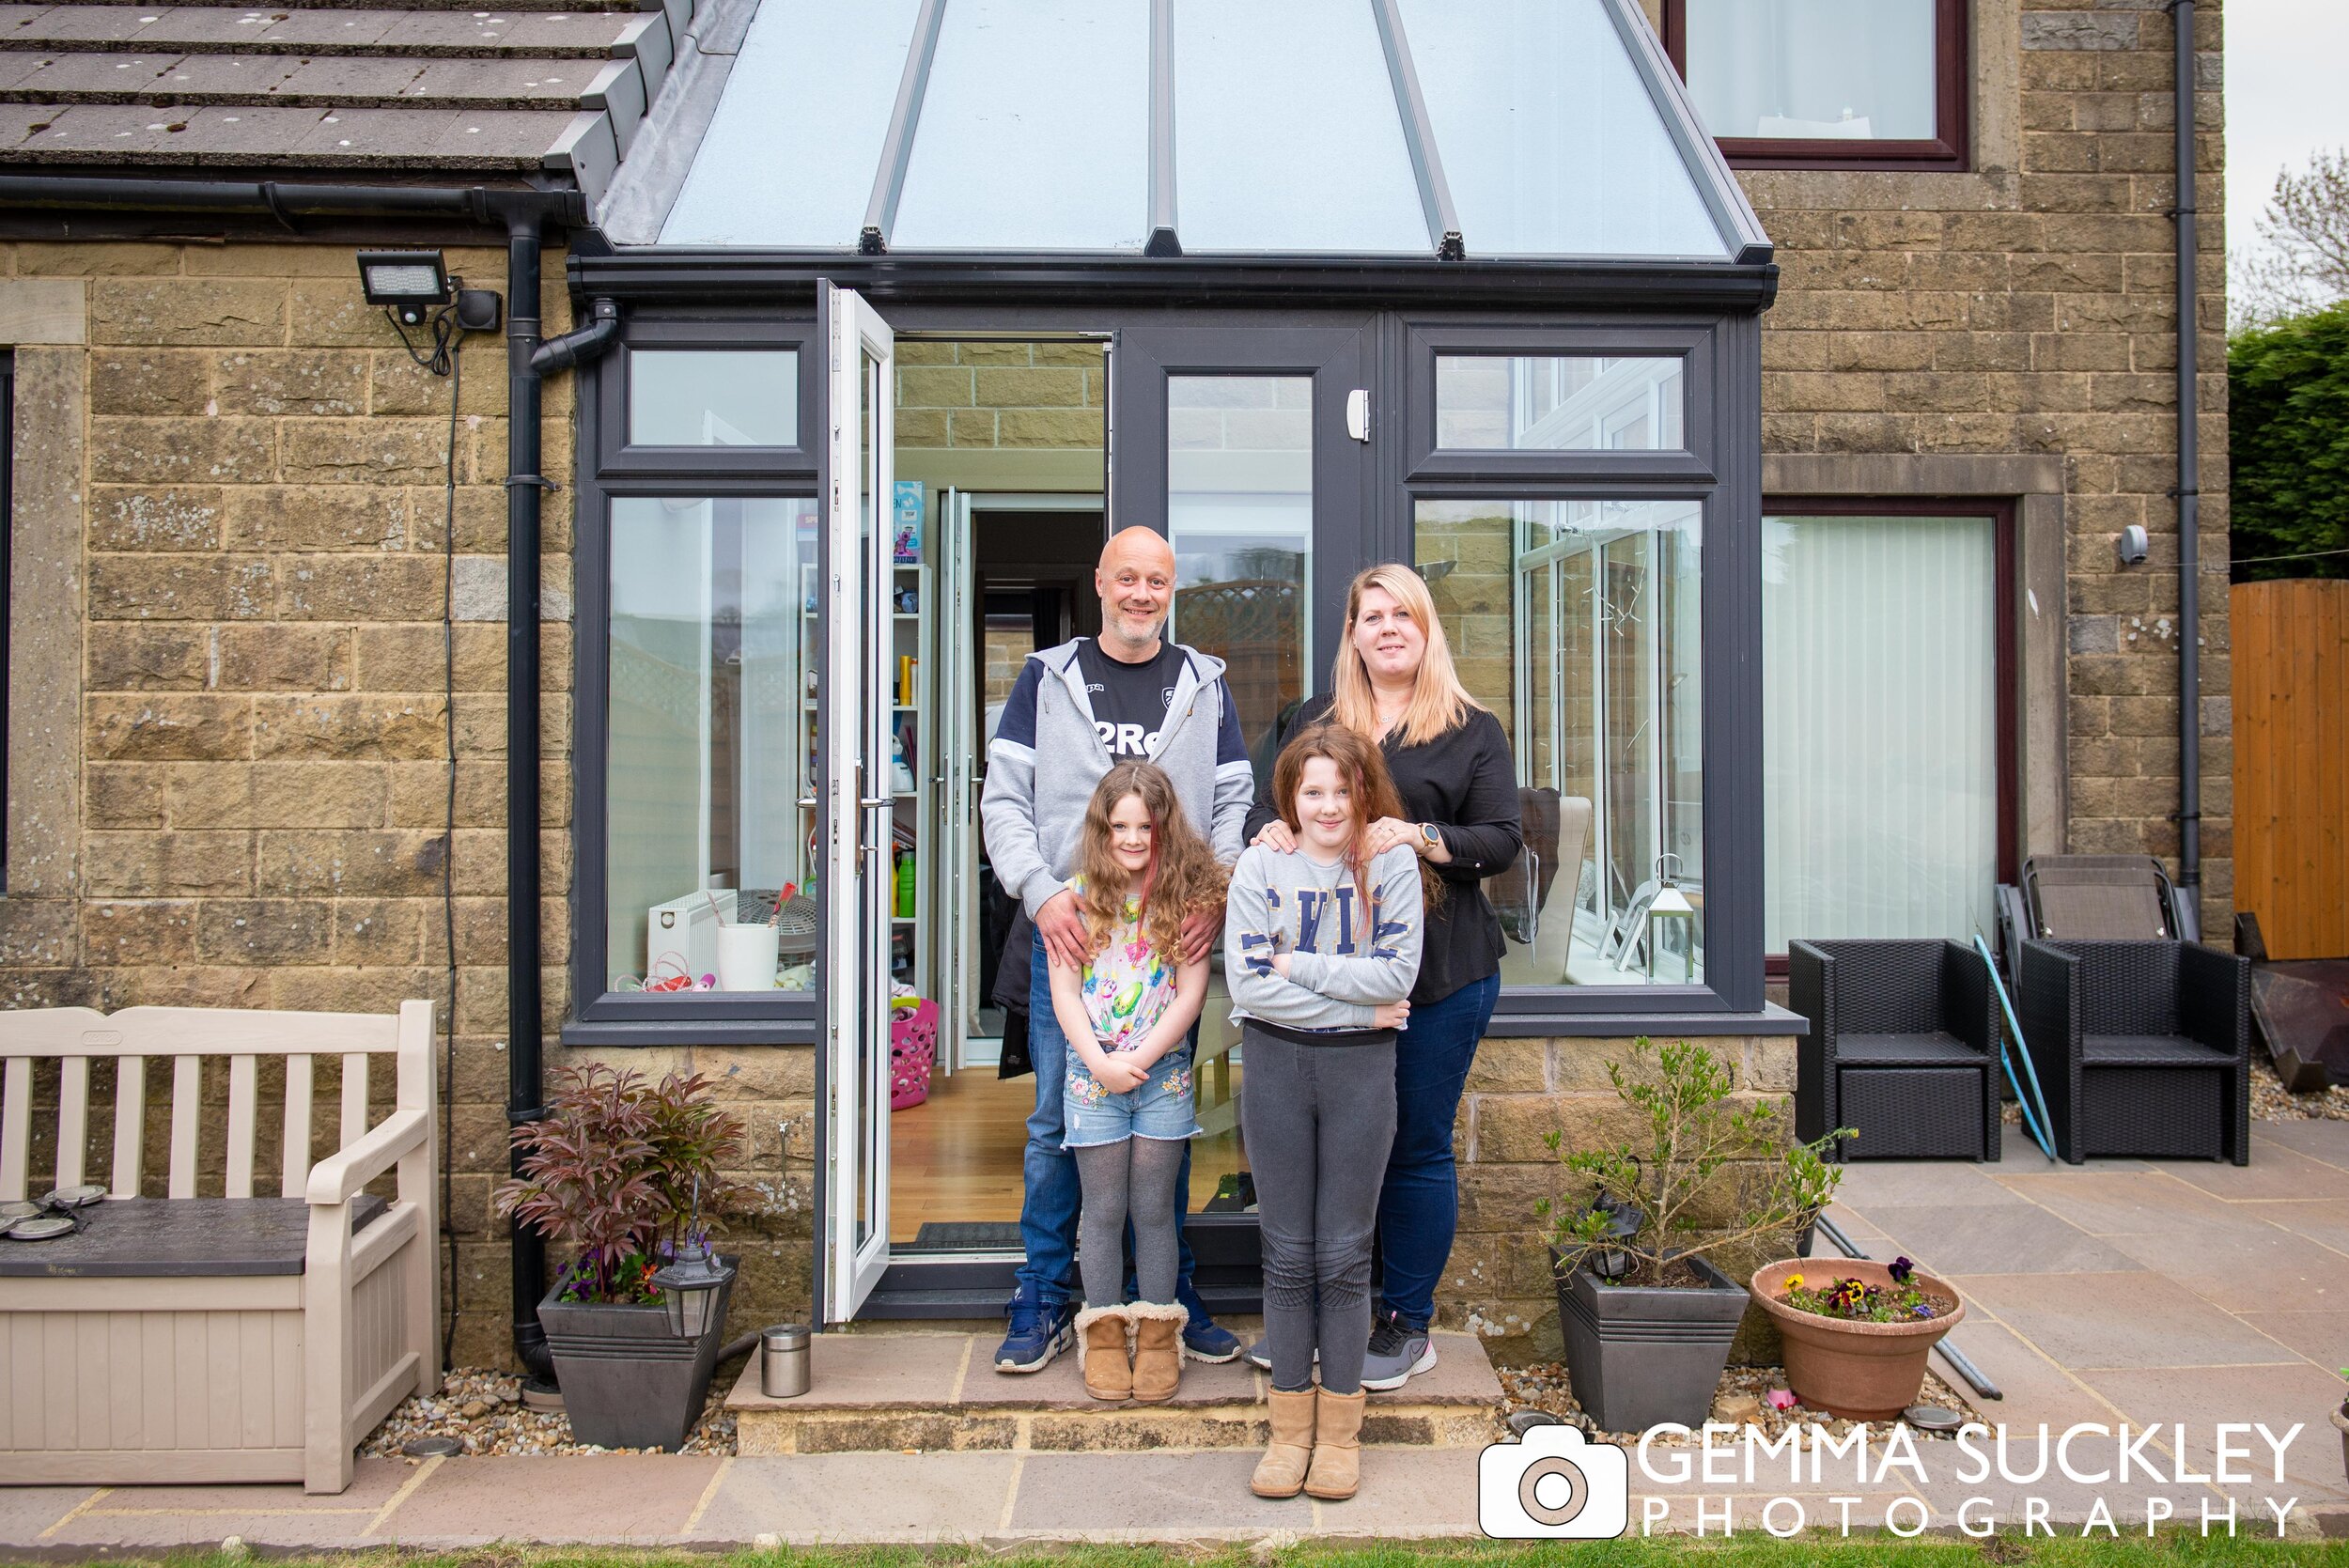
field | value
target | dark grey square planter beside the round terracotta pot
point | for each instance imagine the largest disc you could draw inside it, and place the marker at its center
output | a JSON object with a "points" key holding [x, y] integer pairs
{"points": [[1641, 1356]]}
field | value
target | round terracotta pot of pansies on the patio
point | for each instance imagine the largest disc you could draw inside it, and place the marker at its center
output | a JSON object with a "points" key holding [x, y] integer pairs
{"points": [[1857, 1334]]}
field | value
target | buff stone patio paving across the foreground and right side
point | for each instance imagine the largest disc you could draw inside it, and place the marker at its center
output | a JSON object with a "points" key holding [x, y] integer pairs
{"points": [[2118, 1292]]}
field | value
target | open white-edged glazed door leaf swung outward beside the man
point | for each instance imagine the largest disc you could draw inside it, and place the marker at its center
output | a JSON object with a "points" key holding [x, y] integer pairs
{"points": [[861, 806]]}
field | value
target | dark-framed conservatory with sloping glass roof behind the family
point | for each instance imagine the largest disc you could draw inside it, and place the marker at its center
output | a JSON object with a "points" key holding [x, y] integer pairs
{"points": [[920, 299]]}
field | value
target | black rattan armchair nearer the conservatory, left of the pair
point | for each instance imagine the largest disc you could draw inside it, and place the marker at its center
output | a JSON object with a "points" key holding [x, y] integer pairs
{"points": [[1904, 1048]]}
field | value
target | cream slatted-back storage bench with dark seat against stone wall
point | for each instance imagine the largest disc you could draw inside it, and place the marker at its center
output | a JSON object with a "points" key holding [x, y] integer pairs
{"points": [[215, 1339]]}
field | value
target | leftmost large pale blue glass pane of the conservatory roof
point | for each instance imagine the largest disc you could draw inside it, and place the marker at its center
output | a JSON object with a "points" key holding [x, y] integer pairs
{"points": [[795, 142]]}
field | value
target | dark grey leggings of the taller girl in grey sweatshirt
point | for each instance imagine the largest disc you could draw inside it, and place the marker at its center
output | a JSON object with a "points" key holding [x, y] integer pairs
{"points": [[1319, 1123]]}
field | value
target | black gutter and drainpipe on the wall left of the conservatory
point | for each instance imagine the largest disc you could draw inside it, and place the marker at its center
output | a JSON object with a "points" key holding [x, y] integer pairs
{"points": [[525, 215]]}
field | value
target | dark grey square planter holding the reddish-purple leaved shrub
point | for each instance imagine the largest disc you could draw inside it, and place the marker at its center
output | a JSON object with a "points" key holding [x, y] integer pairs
{"points": [[628, 1381]]}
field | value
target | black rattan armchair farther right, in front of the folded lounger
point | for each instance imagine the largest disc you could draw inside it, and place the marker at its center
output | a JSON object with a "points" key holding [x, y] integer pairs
{"points": [[2143, 1048]]}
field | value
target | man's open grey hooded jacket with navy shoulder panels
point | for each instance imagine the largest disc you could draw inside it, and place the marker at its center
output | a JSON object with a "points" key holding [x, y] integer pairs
{"points": [[1046, 759]]}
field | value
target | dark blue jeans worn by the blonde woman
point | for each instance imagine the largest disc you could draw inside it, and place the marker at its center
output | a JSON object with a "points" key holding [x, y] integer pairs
{"points": [[1420, 1205]]}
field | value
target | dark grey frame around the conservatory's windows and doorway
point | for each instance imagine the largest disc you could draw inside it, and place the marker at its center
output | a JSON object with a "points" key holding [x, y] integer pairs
{"points": [[718, 299]]}
